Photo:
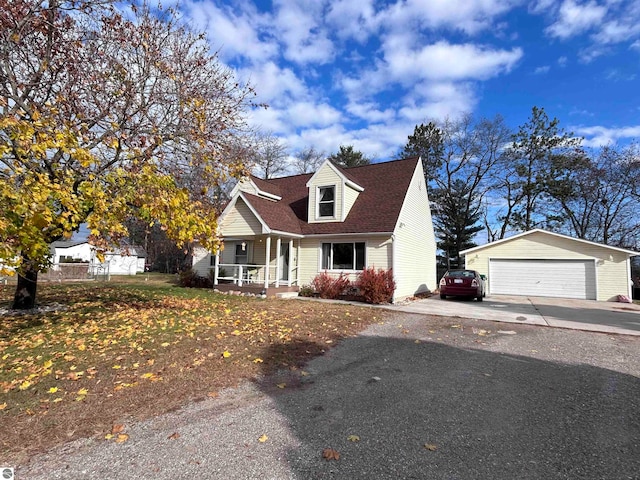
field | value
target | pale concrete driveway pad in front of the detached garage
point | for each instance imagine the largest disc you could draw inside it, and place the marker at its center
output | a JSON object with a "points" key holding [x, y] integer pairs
{"points": [[609, 317]]}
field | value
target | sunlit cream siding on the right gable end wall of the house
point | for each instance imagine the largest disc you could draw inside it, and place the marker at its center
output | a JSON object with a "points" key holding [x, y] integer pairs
{"points": [[415, 244]]}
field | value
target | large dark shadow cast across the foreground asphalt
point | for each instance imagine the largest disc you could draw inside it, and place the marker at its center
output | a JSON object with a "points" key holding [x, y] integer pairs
{"points": [[488, 415]]}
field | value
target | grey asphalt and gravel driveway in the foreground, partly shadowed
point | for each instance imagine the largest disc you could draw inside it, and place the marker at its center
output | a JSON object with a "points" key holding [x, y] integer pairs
{"points": [[414, 397]]}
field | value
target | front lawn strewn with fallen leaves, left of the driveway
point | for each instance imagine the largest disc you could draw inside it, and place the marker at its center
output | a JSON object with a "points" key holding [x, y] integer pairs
{"points": [[108, 353]]}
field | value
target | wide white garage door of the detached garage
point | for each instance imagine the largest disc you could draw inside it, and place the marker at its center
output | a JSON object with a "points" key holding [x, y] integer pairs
{"points": [[543, 278]]}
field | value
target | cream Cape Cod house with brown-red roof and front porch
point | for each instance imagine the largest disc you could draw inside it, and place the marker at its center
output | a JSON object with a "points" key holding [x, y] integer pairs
{"points": [[280, 233]]}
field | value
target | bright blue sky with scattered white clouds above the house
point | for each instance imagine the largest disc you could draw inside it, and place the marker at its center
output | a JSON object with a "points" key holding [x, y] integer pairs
{"points": [[365, 72]]}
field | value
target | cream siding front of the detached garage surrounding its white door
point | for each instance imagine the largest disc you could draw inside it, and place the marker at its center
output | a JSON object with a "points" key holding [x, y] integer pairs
{"points": [[612, 276]]}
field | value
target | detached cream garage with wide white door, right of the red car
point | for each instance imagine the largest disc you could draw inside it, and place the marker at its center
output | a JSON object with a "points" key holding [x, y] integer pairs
{"points": [[546, 264]]}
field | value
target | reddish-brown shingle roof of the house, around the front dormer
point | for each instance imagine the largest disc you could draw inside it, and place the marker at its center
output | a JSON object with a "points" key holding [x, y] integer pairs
{"points": [[376, 210]]}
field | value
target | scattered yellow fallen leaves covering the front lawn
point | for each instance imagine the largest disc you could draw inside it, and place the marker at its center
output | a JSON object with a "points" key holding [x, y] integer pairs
{"points": [[85, 350]]}
